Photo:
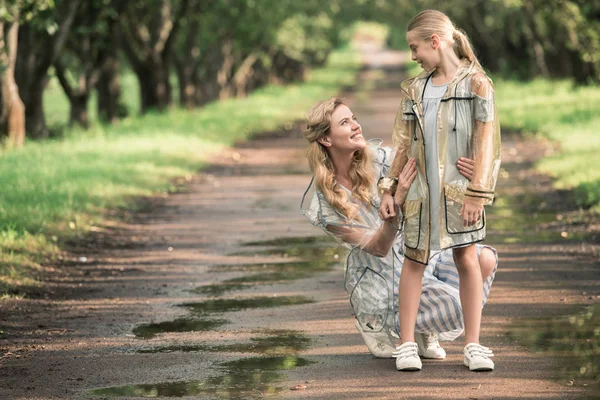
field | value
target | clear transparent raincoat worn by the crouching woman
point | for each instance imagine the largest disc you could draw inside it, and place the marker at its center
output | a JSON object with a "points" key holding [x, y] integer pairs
{"points": [[372, 282]]}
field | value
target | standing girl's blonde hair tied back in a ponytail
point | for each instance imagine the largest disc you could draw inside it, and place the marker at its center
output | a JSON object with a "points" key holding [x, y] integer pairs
{"points": [[430, 22]]}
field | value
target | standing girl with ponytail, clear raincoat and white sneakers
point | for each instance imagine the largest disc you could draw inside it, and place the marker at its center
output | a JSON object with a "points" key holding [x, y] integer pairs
{"points": [[447, 112]]}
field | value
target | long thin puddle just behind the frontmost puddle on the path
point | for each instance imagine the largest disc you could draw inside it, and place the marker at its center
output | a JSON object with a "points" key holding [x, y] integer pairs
{"points": [[278, 343]]}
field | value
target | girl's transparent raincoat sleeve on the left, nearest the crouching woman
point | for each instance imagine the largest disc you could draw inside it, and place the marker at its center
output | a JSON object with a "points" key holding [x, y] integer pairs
{"points": [[404, 126]]}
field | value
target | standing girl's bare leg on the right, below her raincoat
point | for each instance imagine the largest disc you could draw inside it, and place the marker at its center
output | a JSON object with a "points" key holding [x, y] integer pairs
{"points": [[471, 290]]}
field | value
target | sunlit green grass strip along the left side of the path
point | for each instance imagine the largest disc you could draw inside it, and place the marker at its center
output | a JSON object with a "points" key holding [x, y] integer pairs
{"points": [[53, 189]]}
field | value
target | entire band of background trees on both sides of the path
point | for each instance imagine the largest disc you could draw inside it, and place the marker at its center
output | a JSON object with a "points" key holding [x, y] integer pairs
{"points": [[224, 48]]}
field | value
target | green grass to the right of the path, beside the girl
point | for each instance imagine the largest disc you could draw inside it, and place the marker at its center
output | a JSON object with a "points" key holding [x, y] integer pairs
{"points": [[566, 114]]}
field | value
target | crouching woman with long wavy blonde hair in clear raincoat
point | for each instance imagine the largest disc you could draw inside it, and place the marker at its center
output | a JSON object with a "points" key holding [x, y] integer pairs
{"points": [[342, 199]]}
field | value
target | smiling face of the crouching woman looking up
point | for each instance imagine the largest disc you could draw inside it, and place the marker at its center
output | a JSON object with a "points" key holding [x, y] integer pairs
{"points": [[345, 132]]}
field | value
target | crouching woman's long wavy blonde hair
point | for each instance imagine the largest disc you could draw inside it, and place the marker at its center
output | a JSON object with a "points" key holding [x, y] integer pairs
{"points": [[318, 120]]}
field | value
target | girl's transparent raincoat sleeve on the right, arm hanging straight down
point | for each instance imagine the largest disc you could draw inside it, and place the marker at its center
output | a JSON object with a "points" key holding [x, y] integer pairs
{"points": [[486, 141]]}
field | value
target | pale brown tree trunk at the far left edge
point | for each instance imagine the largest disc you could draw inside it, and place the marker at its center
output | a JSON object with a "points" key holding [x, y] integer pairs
{"points": [[12, 115]]}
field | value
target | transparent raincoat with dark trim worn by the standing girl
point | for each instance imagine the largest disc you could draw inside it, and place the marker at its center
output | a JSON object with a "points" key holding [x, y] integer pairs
{"points": [[467, 126]]}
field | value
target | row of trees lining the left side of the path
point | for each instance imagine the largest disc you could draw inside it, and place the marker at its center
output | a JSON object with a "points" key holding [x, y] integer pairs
{"points": [[217, 49]]}
